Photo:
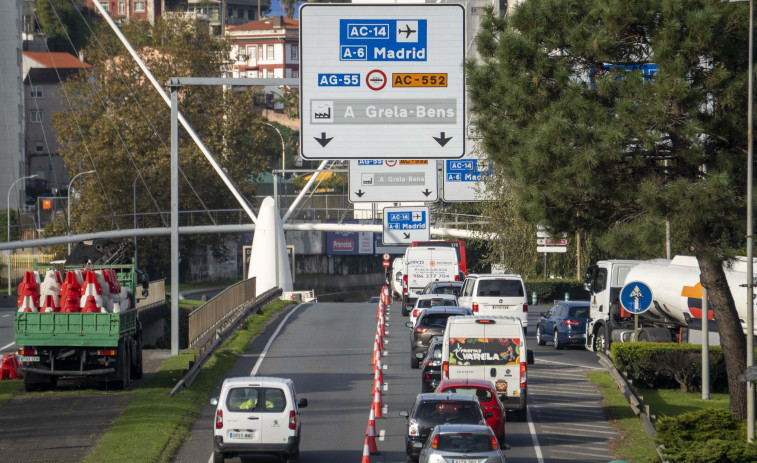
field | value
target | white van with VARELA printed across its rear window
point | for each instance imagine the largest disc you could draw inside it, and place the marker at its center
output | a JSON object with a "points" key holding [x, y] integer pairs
{"points": [[491, 349]]}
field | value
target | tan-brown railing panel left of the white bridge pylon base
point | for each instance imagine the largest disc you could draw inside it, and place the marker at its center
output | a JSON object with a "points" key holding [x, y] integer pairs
{"points": [[204, 320]]}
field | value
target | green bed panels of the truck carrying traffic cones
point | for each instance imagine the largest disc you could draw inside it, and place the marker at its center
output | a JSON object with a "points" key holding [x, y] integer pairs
{"points": [[73, 329]]}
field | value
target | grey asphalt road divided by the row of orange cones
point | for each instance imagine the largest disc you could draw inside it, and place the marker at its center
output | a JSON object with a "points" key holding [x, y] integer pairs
{"points": [[326, 349]]}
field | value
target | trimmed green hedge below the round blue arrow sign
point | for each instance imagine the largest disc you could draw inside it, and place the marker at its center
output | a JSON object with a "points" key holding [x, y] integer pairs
{"points": [[667, 365]]}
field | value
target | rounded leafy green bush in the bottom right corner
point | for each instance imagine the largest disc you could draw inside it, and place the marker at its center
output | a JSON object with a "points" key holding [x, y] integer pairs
{"points": [[704, 436]]}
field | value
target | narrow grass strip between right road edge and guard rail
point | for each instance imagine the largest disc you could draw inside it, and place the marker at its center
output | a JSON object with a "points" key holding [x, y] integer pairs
{"points": [[634, 445]]}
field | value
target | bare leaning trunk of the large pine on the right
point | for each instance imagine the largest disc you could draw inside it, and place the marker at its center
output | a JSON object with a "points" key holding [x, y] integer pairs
{"points": [[732, 339]]}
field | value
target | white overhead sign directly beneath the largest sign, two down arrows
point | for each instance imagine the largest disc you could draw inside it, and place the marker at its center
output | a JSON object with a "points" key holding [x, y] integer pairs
{"points": [[382, 180]]}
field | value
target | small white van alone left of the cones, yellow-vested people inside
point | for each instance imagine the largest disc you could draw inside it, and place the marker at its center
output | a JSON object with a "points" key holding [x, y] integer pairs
{"points": [[257, 414]]}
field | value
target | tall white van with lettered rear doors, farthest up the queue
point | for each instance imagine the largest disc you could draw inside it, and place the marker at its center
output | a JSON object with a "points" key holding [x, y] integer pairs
{"points": [[424, 265]]}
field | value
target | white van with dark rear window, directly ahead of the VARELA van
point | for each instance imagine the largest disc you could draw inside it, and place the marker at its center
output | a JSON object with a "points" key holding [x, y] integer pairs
{"points": [[496, 294]]}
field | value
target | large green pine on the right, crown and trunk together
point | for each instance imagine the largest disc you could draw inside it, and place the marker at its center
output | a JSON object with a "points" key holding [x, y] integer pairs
{"points": [[589, 143]]}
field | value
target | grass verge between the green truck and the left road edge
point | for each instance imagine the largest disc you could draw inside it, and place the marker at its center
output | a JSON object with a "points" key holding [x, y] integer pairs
{"points": [[152, 426]]}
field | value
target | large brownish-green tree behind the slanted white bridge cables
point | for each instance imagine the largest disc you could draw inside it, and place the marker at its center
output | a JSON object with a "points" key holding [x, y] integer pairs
{"points": [[117, 124]]}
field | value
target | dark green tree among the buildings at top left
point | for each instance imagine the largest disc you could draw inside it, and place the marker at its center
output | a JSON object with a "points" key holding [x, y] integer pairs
{"points": [[63, 26]]}
